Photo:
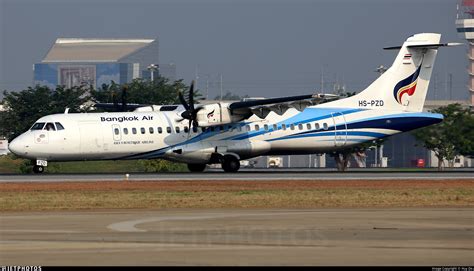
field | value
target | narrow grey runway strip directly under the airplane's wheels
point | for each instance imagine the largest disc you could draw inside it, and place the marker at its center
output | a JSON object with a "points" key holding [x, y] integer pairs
{"points": [[247, 175]]}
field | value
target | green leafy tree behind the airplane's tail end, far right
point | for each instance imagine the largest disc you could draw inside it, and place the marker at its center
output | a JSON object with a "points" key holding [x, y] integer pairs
{"points": [[451, 137]]}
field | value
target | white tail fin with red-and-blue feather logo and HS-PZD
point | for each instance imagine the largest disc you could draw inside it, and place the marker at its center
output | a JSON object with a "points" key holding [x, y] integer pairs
{"points": [[404, 85]]}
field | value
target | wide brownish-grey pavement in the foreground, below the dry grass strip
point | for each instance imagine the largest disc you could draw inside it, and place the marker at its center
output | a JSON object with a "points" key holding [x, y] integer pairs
{"points": [[442, 236]]}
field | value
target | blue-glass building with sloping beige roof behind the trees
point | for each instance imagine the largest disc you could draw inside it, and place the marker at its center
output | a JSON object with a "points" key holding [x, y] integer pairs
{"points": [[93, 62]]}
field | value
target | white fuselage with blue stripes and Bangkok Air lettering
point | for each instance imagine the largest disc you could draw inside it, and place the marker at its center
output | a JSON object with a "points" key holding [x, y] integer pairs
{"points": [[163, 134]]}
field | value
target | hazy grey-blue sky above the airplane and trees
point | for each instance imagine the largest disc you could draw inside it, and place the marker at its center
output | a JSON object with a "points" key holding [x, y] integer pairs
{"points": [[261, 48]]}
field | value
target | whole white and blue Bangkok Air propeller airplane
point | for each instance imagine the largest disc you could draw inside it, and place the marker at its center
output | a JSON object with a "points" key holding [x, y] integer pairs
{"points": [[227, 132]]}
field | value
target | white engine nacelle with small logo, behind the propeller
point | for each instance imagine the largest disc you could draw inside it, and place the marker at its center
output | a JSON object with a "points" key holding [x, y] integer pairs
{"points": [[217, 114]]}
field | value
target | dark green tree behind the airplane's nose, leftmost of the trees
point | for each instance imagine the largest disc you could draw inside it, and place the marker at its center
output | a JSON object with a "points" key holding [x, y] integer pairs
{"points": [[25, 107]]}
